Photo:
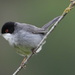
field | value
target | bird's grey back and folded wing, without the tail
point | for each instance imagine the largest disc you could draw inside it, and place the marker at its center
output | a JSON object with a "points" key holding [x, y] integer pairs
{"points": [[30, 28]]}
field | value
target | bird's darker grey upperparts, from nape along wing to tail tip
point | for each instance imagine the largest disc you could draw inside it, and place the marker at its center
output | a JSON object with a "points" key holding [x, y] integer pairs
{"points": [[34, 29]]}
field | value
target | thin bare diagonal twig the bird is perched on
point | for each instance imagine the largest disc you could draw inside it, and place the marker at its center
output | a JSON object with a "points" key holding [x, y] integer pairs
{"points": [[66, 11]]}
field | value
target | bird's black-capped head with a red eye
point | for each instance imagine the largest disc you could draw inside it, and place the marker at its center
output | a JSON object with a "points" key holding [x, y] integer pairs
{"points": [[8, 27]]}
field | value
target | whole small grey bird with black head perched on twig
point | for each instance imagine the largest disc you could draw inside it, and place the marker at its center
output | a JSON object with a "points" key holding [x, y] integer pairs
{"points": [[25, 37]]}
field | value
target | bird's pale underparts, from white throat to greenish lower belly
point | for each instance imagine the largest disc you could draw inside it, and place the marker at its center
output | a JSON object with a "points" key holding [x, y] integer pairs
{"points": [[24, 43]]}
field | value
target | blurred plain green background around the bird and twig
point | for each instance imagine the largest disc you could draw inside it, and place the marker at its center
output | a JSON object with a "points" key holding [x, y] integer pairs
{"points": [[58, 54]]}
